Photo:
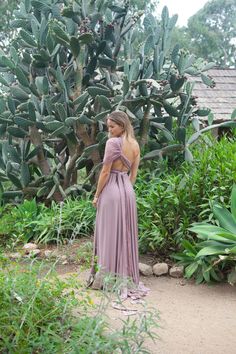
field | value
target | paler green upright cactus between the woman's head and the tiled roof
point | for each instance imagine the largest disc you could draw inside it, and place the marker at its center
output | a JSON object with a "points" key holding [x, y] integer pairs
{"points": [[157, 91]]}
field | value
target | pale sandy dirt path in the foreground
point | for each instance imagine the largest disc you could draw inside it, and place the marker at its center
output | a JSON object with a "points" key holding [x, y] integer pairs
{"points": [[194, 319]]}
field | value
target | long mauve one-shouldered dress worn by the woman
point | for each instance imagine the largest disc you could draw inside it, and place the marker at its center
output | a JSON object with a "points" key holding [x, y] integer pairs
{"points": [[116, 231]]}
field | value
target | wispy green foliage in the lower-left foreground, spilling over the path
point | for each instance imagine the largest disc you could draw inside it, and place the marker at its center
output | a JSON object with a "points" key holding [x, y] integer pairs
{"points": [[50, 315]]}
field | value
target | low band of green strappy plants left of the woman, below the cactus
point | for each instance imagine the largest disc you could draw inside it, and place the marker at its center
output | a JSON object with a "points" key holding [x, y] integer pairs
{"points": [[57, 223]]}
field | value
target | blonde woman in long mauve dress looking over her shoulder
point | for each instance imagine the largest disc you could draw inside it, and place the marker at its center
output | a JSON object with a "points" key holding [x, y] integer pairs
{"points": [[116, 234]]}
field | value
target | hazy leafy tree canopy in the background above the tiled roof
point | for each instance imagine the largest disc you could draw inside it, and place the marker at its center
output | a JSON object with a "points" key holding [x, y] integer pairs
{"points": [[212, 32]]}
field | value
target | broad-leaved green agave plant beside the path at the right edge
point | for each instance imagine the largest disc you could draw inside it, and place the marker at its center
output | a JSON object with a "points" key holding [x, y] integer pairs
{"points": [[216, 252]]}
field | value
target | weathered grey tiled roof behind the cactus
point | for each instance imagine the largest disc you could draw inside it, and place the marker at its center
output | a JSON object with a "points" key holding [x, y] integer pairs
{"points": [[222, 98]]}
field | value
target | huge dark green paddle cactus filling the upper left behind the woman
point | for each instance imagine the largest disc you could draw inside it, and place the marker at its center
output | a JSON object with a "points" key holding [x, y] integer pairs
{"points": [[58, 87]]}
